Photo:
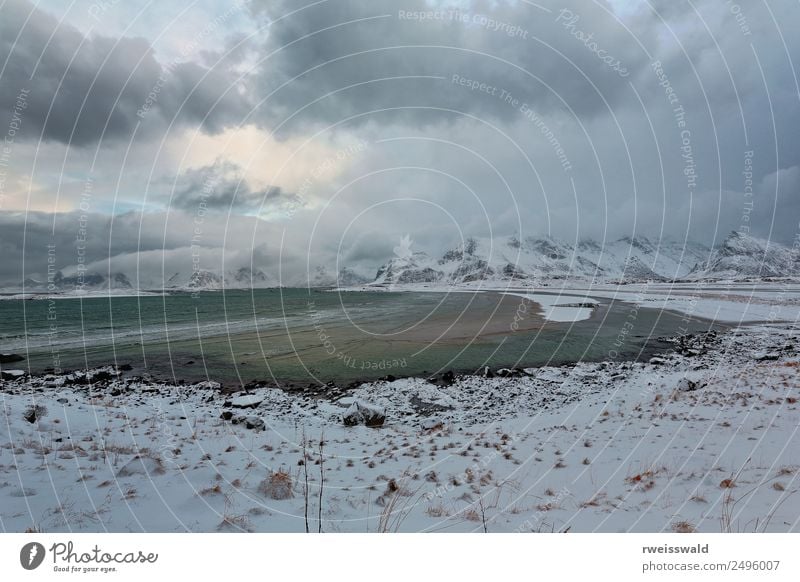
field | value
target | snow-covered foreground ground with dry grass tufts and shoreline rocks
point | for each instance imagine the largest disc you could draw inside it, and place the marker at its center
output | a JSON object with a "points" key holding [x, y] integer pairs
{"points": [[705, 438]]}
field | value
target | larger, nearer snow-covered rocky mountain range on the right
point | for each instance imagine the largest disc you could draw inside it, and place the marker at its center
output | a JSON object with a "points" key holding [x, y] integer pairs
{"points": [[624, 260]]}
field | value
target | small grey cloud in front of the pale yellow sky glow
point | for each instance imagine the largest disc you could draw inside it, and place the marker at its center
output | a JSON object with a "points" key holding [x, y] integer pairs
{"points": [[222, 187]]}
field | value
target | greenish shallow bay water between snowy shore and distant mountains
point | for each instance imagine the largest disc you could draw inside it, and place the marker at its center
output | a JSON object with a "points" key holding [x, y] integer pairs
{"points": [[313, 336]]}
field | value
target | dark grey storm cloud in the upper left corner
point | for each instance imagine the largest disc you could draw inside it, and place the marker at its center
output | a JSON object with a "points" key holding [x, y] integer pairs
{"points": [[83, 89]]}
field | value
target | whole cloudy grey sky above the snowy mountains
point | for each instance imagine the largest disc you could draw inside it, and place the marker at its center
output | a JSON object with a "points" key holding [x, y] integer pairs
{"points": [[155, 138]]}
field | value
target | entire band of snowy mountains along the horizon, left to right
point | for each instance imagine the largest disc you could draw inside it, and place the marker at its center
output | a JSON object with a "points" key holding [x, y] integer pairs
{"points": [[531, 261]]}
